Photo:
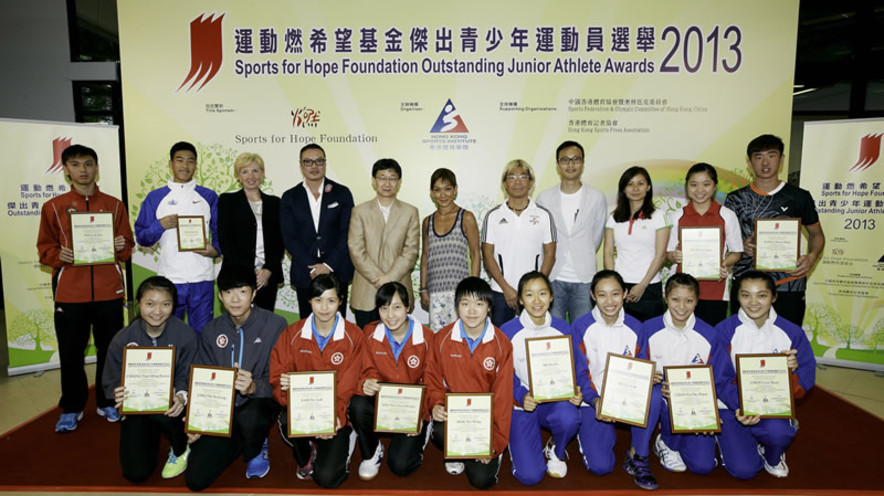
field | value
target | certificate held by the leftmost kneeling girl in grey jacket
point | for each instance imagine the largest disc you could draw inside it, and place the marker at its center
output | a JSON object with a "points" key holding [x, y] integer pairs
{"points": [[148, 375]]}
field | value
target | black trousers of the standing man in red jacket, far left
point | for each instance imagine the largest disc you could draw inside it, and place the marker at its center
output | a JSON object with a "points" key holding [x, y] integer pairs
{"points": [[73, 322]]}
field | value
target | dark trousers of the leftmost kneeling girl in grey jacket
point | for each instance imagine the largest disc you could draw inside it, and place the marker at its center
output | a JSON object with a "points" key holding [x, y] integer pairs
{"points": [[140, 443]]}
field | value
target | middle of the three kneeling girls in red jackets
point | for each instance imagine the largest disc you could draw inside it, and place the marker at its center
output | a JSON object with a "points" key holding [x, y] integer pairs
{"points": [[395, 351]]}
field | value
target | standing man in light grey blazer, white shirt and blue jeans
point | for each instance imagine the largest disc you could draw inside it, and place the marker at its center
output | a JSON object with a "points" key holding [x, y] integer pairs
{"points": [[579, 212]]}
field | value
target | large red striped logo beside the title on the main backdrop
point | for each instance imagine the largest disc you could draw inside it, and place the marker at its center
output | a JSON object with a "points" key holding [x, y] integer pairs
{"points": [[206, 53]]}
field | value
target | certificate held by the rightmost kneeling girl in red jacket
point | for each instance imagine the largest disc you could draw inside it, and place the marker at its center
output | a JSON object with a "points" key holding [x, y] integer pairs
{"points": [[468, 428]]}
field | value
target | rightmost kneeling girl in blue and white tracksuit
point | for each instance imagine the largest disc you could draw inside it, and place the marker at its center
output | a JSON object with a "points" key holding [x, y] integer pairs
{"points": [[748, 442]]}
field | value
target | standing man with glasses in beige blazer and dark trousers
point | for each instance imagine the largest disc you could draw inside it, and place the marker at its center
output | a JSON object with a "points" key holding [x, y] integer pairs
{"points": [[384, 241]]}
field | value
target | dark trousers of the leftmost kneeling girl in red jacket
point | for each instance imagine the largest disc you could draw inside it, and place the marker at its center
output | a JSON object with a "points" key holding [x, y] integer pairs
{"points": [[331, 464]]}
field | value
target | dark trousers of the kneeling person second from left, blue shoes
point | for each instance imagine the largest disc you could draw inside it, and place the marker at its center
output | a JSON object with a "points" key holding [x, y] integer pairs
{"points": [[211, 455]]}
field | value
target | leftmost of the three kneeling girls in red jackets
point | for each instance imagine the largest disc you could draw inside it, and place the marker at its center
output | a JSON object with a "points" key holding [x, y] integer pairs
{"points": [[322, 341]]}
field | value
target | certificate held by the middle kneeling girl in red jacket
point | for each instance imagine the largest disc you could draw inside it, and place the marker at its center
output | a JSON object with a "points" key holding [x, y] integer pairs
{"points": [[398, 408]]}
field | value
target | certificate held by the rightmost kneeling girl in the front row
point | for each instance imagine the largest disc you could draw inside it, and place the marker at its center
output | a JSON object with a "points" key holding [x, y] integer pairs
{"points": [[765, 386]]}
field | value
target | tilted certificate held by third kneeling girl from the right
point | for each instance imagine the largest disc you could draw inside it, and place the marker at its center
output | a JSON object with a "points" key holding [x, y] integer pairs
{"points": [[626, 393]]}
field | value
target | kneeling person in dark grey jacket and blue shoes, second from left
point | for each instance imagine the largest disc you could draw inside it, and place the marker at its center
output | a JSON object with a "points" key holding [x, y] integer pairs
{"points": [[242, 337]]}
